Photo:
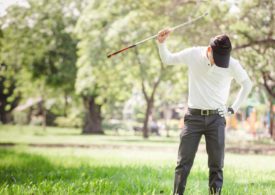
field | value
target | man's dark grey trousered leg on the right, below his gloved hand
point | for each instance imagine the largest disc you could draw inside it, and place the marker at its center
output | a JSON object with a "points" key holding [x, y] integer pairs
{"points": [[214, 137]]}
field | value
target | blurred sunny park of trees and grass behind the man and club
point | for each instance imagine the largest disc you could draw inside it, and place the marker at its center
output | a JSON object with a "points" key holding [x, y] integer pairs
{"points": [[73, 121]]}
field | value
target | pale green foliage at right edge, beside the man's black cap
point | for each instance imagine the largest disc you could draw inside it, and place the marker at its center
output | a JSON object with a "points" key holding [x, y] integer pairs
{"points": [[253, 29]]}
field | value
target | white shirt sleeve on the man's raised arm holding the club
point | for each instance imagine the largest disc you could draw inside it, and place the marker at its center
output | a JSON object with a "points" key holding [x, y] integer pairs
{"points": [[169, 58]]}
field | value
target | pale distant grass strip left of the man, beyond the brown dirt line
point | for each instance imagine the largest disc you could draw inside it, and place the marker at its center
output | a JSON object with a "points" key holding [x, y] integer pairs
{"points": [[34, 134]]}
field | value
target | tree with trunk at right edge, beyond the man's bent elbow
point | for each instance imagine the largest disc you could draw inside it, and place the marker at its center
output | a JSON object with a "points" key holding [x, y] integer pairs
{"points": [[254, 27]]}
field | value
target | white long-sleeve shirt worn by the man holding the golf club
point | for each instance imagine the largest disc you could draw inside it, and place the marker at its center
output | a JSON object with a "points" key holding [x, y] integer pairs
{"points": [[209, 86]]}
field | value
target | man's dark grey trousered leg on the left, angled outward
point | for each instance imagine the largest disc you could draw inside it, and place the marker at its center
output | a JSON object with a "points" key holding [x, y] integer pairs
{"points": [[190, 138]]}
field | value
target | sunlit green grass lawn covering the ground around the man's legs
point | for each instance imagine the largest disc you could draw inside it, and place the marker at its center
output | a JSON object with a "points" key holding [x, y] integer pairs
{"points": [[70, 170]]}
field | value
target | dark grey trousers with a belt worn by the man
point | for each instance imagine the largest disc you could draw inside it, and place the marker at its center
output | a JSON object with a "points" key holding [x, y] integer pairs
{"points": [[212, 127]]}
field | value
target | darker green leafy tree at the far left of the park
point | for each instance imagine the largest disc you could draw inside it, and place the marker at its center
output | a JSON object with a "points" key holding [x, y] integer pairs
{"points": [[38, 40]]}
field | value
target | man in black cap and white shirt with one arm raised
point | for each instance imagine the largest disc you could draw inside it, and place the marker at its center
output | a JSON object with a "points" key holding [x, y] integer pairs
{"points": [[210, 72]]}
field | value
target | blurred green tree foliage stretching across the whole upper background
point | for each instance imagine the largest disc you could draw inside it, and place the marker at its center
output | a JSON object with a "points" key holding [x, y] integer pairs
{"points": [[42, 43]]}
